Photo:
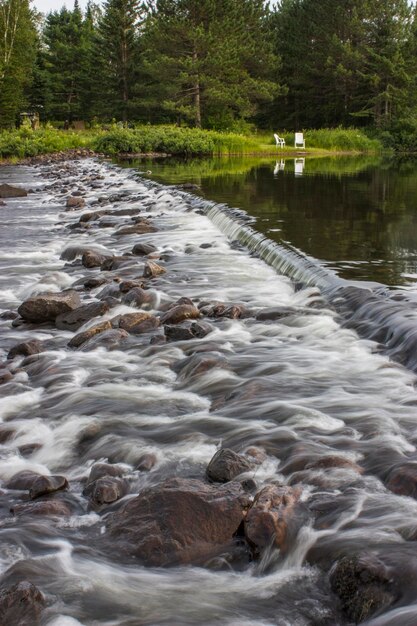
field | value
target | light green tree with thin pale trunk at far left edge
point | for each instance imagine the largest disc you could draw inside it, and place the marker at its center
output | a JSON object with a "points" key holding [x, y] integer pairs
{"points": [[17, 57]]}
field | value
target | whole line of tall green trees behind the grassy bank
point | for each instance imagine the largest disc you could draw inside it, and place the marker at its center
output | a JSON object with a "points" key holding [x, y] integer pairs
{"points": [[214, 63]]}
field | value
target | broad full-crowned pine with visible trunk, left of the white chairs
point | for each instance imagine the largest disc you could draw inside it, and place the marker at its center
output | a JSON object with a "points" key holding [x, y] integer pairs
{"points": [[209, 61]]}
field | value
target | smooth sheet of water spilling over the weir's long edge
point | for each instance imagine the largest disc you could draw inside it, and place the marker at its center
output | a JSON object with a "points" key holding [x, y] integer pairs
{"points": [[371, 309]]}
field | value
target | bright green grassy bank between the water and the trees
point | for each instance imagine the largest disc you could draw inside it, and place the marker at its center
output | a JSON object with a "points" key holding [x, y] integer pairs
{"points": [[175, 141]]}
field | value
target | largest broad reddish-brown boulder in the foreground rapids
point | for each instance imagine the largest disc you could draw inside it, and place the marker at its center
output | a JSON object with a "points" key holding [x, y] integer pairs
{"points": [[182, 521]]}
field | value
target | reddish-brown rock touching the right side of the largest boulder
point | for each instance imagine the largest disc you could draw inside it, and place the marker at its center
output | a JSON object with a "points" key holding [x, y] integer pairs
{"points": [[272, 518]]}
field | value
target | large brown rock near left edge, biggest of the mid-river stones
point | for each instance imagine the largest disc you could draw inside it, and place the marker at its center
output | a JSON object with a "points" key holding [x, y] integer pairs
{"points": [[47, 306]]}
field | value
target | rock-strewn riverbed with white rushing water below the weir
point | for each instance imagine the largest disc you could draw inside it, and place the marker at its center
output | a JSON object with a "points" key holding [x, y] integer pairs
{"points": [[187, 437]]}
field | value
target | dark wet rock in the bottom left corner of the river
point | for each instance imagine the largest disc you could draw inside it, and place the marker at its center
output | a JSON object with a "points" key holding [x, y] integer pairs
{"points": [[21, 605]]}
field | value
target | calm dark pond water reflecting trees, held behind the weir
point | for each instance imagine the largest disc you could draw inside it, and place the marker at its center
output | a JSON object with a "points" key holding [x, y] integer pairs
{"points": [[358, 215]]}
